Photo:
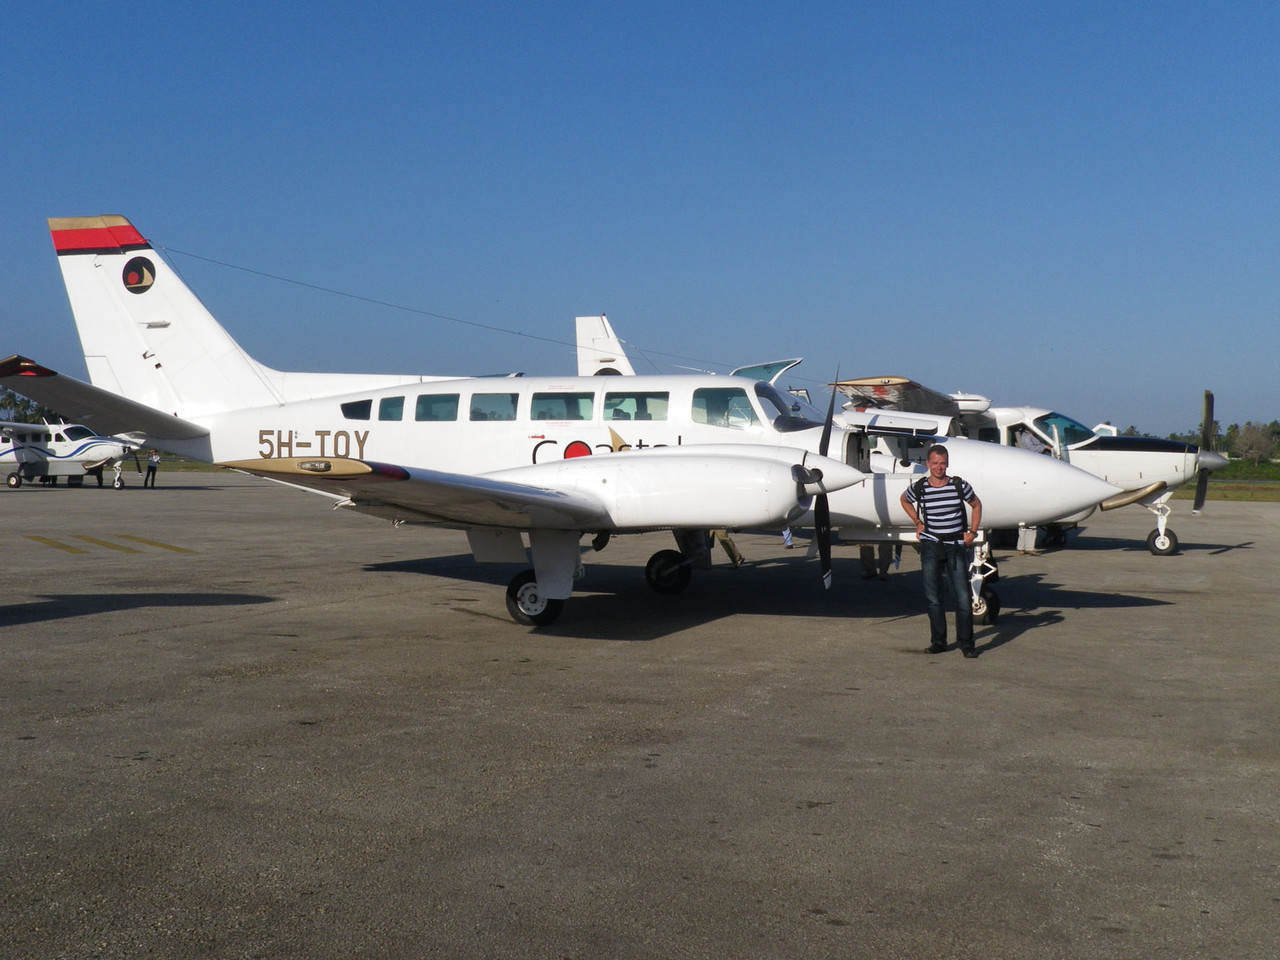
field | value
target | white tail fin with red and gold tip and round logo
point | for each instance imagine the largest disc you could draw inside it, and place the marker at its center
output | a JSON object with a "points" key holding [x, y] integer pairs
{"points": [[147, 336]]}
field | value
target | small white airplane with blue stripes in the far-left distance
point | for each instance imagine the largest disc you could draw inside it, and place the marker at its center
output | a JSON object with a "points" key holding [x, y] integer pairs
{"points": [[39, 451]]}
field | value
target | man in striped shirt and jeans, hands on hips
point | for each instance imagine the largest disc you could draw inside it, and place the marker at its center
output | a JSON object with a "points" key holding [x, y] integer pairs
{"points": [[936, 505]]}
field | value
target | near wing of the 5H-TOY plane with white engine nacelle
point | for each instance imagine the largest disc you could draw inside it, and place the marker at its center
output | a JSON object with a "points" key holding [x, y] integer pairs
{"points": [[701, 487]]}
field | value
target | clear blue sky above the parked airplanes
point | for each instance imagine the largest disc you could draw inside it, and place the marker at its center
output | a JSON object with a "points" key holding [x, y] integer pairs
{"points": [[1072, 205]]}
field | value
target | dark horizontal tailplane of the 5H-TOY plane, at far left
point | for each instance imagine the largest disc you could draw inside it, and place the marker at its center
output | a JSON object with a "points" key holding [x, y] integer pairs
{"points": [[106, 413]]}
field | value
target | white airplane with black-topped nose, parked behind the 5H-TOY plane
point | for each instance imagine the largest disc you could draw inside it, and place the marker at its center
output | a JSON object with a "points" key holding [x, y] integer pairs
{"points": [[1148, 469]]}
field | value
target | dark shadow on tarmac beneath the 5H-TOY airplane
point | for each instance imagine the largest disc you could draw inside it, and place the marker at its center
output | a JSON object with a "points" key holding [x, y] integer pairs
{"points": [[615, 604]]}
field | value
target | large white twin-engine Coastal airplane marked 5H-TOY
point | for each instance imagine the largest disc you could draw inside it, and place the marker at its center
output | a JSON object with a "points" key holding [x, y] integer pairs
{"points": [[554, 459]]}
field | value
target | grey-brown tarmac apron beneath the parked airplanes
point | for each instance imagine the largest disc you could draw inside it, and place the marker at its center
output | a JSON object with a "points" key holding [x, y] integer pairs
{"points": [[237, 724]]}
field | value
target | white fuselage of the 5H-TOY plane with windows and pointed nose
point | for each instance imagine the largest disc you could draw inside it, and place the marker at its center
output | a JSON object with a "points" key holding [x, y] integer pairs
{"points": [[486, 427]]}
